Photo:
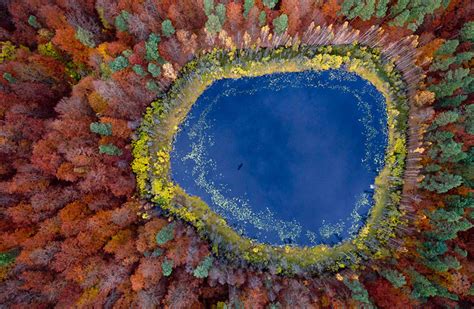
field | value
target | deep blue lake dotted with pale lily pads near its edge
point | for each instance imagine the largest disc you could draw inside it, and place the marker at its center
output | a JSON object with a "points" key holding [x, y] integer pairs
{"points": [[285, 158]]}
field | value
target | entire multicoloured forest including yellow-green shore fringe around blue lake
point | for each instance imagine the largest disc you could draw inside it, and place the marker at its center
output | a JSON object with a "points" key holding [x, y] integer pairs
{"points": [[91, 93]]}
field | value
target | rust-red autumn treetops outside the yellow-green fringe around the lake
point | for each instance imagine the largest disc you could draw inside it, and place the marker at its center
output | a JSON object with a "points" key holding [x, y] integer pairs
{"points": [[74, 233]]}
